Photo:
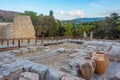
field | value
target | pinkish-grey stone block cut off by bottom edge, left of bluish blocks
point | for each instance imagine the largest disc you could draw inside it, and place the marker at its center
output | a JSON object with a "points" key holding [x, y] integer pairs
{"points": [[29, 76]]}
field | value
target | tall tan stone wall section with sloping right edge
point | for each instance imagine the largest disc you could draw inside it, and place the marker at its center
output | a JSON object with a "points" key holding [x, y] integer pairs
{"points": [[23, 27]]}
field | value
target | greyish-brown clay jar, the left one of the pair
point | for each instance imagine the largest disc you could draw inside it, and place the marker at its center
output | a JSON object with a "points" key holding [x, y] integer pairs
{"points": [[87, 67]]}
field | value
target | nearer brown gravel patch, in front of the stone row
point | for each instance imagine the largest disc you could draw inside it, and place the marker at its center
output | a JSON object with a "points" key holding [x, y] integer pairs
{"points": [[54, 61]]}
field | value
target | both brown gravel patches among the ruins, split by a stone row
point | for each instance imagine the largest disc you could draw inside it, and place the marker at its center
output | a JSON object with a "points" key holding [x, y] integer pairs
{"points": [[54, 61]]}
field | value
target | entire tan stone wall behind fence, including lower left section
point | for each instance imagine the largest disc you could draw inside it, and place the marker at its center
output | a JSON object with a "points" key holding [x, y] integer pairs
{"points": [[21, 28]]}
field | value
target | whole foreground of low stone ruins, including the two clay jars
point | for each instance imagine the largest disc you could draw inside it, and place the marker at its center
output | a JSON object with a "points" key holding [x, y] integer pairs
{"points": [[63, 61]]}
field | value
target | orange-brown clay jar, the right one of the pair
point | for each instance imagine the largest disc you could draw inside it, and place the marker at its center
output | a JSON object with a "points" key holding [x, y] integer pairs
{"points": [[101, 61]]}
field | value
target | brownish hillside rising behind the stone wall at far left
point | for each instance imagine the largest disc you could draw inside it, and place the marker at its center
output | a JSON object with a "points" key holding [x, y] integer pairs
{"points": [[8, 14]]}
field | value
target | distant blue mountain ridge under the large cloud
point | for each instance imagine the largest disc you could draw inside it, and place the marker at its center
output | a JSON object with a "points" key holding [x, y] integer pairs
{"points": [[78, 20]]}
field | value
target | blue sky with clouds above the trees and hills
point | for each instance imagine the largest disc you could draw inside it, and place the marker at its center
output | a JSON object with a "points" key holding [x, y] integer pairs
{"points": [[64, 9]]}
